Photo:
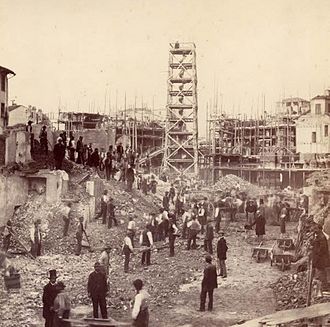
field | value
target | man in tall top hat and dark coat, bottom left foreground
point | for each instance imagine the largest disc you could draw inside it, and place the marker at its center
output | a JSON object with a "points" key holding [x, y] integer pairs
{"points": [[48, 297]]}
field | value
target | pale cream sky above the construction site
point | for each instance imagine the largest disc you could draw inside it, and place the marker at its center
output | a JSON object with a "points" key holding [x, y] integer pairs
{"points": [[77, 51]]}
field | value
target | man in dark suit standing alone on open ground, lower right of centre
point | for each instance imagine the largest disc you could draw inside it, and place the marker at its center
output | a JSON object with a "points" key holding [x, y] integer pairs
{"points": [[209, 283]]}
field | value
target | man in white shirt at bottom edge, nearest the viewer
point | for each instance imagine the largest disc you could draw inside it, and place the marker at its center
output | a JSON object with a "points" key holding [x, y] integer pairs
{"points": [[140, 312]]}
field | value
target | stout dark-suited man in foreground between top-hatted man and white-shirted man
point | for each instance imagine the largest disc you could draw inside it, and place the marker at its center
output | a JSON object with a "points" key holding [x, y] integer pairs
{"points": [[97, 290]]}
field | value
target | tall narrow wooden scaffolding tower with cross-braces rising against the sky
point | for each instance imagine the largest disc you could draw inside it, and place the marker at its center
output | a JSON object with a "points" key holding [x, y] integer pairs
{"points": [[181, 129]]}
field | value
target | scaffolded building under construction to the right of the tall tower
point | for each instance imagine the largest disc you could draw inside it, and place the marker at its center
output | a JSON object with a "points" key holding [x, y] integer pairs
{"points": [[262, 151]]}
